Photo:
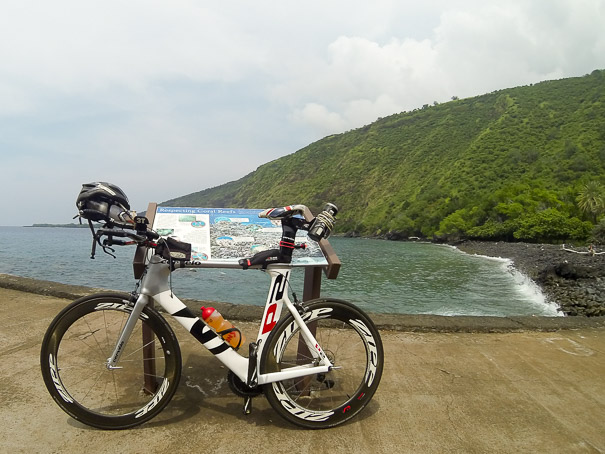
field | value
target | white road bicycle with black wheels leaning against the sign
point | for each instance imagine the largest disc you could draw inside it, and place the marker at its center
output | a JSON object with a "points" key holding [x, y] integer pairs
{"points": [[112, 361]]}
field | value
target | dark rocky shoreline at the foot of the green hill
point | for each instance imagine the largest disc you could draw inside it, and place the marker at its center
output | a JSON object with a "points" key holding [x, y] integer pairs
{"points": [[575, 281]]}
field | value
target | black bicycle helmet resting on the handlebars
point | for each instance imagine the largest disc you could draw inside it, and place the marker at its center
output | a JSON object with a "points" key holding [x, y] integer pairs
{"points": [[96, 200]]}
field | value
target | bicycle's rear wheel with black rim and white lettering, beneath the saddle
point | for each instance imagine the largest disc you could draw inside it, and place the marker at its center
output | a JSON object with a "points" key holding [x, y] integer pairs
{"points": [[352, 343]]}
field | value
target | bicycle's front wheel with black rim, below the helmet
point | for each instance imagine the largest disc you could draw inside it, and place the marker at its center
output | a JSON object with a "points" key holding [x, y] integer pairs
{"points": [[74, 357]]}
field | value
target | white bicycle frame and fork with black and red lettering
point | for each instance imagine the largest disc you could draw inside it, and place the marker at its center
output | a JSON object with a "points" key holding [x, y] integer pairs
{"points": [[155, 287]]}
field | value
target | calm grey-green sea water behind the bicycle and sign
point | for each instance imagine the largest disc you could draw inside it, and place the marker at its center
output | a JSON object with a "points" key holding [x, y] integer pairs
{"points": [[379, 276]]}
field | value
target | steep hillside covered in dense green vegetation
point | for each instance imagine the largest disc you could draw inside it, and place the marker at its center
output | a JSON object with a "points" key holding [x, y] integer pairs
{"points": [[525, 163]]}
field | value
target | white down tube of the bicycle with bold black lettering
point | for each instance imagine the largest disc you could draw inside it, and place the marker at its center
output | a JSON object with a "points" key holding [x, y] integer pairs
{"points": [[208, 338]]}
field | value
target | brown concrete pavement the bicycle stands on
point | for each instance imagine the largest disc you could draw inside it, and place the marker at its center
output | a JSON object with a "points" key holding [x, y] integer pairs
{"points": [[522, 391]]}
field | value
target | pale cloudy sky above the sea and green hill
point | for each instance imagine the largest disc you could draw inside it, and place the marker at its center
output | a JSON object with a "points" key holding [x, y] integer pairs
{"points": [[166, 98]]}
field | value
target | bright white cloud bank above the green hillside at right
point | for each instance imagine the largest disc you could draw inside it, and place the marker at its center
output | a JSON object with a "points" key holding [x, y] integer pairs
{"points": [[473, 49]]}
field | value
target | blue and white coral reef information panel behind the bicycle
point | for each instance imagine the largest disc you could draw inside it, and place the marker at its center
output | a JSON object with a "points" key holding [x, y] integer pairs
{"points": [[227, 234]]}
